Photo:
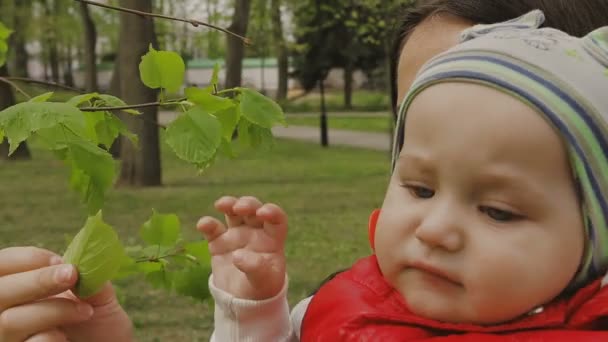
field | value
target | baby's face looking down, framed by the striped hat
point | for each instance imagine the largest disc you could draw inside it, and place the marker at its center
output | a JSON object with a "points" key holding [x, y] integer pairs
{"points": [[481, 221]]}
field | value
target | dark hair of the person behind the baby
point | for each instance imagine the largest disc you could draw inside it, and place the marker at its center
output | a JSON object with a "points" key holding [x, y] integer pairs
{"points": [[576, 18]]}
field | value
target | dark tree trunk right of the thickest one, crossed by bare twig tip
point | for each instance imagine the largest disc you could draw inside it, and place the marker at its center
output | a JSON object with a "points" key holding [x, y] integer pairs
{"points": [[234, 47]]}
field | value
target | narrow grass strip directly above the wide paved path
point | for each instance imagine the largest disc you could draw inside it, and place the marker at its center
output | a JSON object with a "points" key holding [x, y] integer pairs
{"points": [[376, 123]]}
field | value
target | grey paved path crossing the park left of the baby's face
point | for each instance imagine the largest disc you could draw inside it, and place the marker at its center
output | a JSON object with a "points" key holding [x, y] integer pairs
{"points": [[374, 141]]}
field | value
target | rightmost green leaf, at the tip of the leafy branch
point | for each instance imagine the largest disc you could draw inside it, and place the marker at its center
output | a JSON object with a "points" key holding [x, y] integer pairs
{"points": [[259, 109]]}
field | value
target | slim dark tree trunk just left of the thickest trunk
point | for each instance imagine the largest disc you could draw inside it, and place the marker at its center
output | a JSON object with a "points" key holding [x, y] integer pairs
{"points": [[90, 42]]}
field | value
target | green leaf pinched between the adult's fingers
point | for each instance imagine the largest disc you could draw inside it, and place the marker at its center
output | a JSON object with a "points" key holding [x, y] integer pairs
{"points": [[97, 254]]}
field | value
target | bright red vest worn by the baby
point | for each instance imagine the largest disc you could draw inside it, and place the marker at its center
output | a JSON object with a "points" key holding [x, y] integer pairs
{"points": [[359, 305]]}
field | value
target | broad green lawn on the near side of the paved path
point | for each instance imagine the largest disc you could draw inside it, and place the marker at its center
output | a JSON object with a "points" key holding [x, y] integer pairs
{"points": [[328, 193]]}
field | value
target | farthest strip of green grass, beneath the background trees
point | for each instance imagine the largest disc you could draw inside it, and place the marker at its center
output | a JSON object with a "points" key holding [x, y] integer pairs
{"points": [[363, 100]]}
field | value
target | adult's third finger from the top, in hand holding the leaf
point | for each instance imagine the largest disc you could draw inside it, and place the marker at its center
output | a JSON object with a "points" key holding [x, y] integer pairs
{"points": [[20, 322]]}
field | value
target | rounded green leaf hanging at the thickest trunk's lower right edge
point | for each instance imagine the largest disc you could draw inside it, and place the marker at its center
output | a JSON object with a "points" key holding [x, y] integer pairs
{"points": [[195, 136]]}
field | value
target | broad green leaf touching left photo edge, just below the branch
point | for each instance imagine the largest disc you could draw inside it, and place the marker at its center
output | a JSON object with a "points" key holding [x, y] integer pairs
{"points": [[20, 121]]}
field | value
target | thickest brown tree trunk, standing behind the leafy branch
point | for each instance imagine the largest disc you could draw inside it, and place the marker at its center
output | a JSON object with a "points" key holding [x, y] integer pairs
{"points": [[140, 167]]}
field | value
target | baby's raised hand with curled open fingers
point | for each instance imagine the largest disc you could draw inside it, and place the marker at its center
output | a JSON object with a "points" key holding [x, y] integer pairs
{"points": [[248, 254]]}
